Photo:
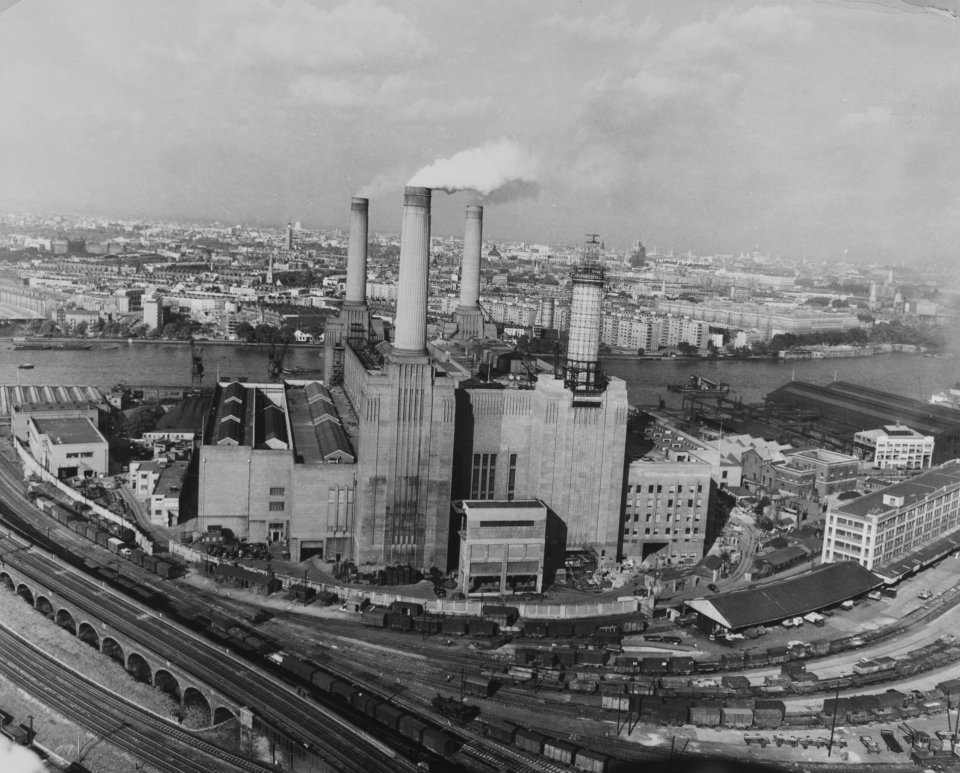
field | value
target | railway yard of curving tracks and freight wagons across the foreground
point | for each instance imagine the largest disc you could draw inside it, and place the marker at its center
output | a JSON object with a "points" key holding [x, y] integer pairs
{"points": [[499, 693]]}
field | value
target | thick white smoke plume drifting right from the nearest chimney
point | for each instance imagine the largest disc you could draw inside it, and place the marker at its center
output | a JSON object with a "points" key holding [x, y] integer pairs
{"points": [[495, 171]]}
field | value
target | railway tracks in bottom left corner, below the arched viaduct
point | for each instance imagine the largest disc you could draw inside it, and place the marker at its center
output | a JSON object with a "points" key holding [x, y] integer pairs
{"points": [[162, 743]]}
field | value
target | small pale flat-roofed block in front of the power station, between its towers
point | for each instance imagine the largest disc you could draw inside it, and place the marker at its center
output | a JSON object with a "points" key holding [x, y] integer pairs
{"points": [[503, 546]]}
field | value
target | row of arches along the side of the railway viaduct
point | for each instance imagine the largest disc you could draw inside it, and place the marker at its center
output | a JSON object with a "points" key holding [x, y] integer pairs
{"points": [[138, 659]]}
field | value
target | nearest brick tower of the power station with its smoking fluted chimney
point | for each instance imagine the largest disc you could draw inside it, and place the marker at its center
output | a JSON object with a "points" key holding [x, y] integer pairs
{"points": [[406, 413]]}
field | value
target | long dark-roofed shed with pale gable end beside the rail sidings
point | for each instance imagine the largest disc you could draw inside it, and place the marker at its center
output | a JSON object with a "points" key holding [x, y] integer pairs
{"points": [[819, 588]]}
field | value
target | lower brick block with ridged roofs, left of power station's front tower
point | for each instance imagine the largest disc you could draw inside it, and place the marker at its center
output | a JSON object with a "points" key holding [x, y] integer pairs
{"points": [[277, 465]]}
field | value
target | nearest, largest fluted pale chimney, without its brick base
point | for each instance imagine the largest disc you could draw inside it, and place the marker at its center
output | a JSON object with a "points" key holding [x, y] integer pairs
{"points": [[410, 335]]}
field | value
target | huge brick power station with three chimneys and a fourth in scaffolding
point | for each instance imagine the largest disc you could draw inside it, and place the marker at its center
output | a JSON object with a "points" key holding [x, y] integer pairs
{"points": [[407, 429]]}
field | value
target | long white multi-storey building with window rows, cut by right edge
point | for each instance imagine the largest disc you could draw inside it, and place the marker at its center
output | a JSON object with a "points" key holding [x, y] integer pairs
{"points": [[880, 527]]}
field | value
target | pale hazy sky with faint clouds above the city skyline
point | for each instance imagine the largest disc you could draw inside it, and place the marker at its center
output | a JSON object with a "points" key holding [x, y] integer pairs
{"points": [[821, 130]]}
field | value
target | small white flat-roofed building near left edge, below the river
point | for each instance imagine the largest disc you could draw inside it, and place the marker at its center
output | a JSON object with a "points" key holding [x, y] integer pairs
{"points": [[68, 447]]}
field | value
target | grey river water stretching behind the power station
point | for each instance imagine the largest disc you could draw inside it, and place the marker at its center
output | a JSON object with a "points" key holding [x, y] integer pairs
{"points": [[162, 364]]}
